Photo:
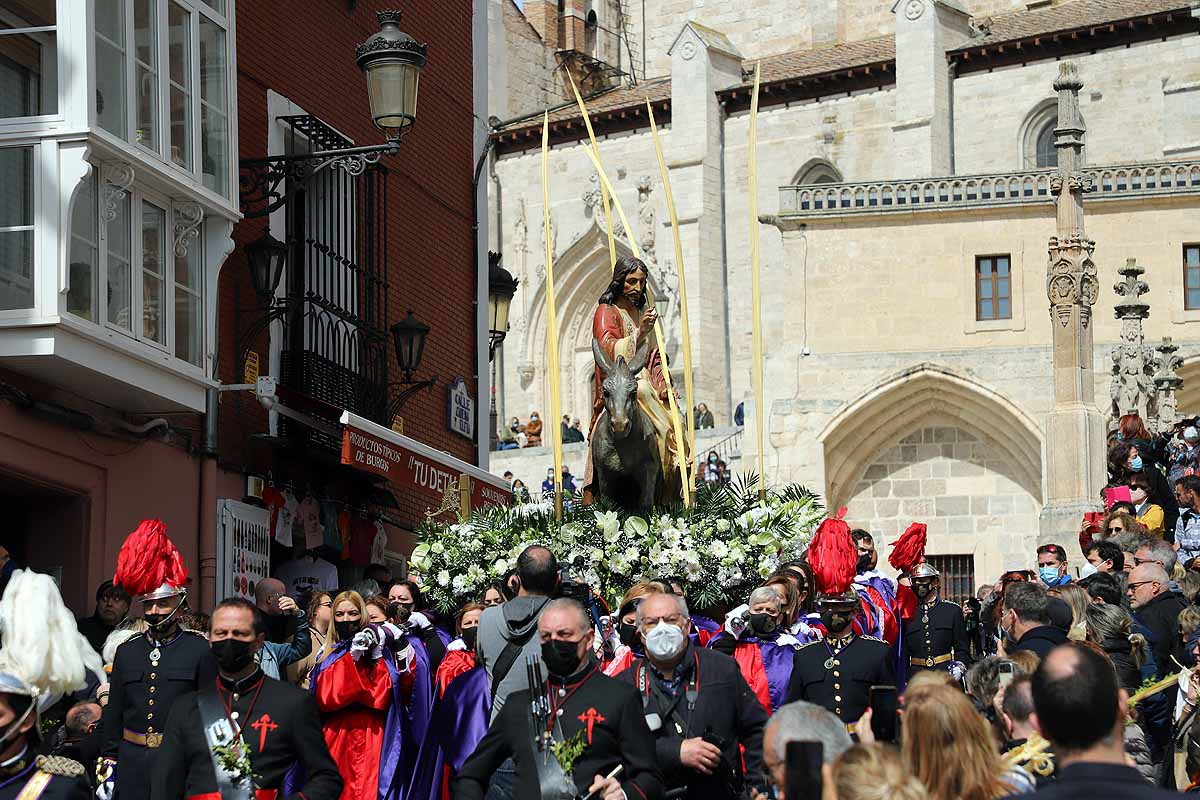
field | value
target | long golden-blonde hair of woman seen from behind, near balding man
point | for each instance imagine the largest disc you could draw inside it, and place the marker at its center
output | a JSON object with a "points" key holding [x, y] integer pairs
{"points": [[949, 748]]}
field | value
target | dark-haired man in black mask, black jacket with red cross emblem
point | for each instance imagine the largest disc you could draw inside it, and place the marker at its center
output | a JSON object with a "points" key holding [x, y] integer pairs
{"points": [[278, 723]]}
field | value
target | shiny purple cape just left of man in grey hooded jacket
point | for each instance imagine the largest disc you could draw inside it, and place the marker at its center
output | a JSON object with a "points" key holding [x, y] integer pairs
{"points": [[460, 721]]}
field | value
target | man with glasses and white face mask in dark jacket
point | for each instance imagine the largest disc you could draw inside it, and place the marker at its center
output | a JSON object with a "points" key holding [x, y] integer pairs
{"points": [[698, 706]]}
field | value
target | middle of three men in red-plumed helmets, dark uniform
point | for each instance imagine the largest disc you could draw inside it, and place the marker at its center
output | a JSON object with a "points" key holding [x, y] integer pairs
{"points": [[839, 671]]}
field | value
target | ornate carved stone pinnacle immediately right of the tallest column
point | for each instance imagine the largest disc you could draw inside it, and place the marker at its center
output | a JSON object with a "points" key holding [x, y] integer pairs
{"points": [[1133, 389]]}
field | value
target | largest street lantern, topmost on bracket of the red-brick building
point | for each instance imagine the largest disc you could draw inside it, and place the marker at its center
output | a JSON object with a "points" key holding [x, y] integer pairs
{"points": [[392, 62]]}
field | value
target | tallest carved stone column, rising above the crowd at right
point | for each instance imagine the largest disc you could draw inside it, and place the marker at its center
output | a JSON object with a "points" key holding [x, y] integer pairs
{"points": [[1075, 431]]}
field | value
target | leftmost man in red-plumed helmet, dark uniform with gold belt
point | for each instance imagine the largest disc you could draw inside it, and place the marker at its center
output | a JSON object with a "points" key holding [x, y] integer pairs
{"points": [[152, 670]]}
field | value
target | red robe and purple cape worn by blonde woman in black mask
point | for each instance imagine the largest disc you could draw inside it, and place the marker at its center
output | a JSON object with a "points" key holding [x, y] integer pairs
{"points": [[405, 724]]}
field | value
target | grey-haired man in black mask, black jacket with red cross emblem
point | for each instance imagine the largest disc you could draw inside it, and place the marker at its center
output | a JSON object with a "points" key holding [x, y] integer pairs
{"points": [[598, 718]]}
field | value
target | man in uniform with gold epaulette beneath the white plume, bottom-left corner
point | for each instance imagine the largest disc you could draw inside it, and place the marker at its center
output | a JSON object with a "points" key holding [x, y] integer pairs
{"points": [[22, 773]]}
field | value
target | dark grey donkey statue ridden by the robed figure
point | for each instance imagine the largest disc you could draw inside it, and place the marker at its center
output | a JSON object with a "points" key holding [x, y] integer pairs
{"points": [[626, 461]]}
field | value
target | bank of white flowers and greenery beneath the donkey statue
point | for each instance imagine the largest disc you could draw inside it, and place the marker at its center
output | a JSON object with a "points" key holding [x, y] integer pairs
{"points": [[728, 539]]}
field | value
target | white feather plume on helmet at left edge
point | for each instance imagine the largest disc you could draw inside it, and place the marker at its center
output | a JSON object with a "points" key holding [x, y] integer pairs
{"points": [[43, 646]]}
